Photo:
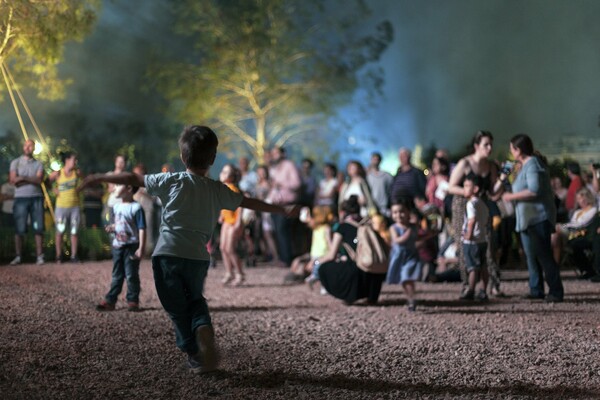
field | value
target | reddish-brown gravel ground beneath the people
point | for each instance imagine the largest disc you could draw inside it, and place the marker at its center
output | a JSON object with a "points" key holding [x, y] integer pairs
{"points": [[282, 342]]}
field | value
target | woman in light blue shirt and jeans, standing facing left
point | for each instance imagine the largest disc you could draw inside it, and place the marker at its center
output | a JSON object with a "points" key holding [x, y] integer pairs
{"points": [[536, 217]]}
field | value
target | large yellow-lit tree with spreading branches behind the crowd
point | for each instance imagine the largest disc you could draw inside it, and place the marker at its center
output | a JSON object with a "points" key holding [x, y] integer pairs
{"points": [[267, 72]]}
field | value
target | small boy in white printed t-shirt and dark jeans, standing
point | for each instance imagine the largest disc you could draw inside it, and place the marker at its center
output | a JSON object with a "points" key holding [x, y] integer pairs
{"points": [[128, 246]]}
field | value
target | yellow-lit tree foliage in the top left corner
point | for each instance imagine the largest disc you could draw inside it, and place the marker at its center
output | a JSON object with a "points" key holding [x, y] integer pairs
{"points": [[32, 38]]}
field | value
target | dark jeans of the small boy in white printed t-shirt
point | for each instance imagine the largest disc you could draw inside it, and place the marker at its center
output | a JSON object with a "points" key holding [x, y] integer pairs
{"points": [[125, 267]]}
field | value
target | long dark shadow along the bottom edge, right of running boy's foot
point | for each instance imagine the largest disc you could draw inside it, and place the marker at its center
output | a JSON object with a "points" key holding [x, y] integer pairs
{"points": [[280, 379]]}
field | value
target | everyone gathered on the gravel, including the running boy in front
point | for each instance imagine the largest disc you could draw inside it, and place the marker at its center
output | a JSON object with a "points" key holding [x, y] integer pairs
{"points": [[451, 222]]}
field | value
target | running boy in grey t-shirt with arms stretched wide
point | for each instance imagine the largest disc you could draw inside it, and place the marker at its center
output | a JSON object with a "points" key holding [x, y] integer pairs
{"points": [[191, 206]]}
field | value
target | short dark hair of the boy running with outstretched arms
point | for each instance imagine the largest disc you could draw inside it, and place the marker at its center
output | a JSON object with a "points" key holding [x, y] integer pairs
{"points": [[198, 146]]}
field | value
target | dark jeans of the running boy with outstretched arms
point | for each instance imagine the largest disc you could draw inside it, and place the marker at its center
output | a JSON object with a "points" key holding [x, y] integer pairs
{"points": [[180, 286]]}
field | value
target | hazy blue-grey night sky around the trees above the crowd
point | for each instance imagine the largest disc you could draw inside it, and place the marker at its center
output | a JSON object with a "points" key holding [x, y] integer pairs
{"points": [[454, 67]]}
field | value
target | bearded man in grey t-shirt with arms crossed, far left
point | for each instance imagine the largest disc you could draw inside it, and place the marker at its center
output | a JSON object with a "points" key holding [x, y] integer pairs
{"points": [[27, 174]]}
